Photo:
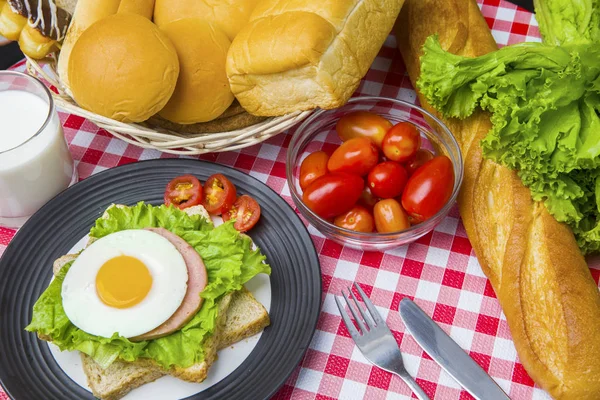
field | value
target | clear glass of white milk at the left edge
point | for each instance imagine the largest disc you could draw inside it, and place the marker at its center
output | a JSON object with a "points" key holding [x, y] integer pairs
{"points": [[35, 163]]}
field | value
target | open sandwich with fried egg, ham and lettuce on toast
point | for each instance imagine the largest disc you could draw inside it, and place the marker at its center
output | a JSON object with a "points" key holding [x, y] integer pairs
{"points": [[157, 291]]}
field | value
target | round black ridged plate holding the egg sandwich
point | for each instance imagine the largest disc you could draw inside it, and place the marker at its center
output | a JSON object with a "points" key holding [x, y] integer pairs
{"points": [[27, 368]]}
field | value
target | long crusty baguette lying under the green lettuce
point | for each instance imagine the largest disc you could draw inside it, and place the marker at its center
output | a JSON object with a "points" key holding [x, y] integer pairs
{"points": [[542, 281]]}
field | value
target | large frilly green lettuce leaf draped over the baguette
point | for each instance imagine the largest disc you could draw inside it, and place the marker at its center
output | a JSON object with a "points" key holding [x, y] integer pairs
{"points": [[545, 105]]}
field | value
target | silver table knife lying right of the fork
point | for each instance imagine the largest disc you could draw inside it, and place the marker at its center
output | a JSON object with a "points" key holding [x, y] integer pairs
{"points": [[446, 352]]}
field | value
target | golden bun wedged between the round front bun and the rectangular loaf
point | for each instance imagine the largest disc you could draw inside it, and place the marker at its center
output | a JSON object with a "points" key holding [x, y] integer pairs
{"points": [[202, 92]]}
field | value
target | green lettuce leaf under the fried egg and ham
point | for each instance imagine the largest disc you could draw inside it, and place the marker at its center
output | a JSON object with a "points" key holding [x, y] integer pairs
{"points": [[230, 262]]}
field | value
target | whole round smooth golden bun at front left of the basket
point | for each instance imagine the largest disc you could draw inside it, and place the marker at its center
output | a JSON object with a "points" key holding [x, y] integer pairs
{"points": [[123, 67]]}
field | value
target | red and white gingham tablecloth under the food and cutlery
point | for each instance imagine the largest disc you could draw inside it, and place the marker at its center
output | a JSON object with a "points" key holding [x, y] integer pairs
{"points": [[440, 271]]}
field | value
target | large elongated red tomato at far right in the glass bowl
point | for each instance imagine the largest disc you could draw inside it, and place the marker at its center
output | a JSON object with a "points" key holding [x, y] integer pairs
{"points": [[429, 188]]}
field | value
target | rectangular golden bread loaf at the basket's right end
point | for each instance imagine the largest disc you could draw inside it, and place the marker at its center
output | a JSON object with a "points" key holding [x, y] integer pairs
{"points": [[301, 54]]}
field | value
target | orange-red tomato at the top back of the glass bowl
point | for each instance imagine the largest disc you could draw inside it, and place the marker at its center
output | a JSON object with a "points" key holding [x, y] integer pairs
{"points": [[363, 124]]}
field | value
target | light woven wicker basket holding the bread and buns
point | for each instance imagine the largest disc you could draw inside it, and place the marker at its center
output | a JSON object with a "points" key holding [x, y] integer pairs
{"points": [[163, 139]]}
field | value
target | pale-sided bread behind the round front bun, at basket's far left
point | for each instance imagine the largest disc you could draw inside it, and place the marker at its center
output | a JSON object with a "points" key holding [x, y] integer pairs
{"points": [[86, 13]]}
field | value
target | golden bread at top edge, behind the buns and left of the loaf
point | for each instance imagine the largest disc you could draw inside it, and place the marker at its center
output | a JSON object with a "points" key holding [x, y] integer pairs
{"points": [[229, 15]]}
